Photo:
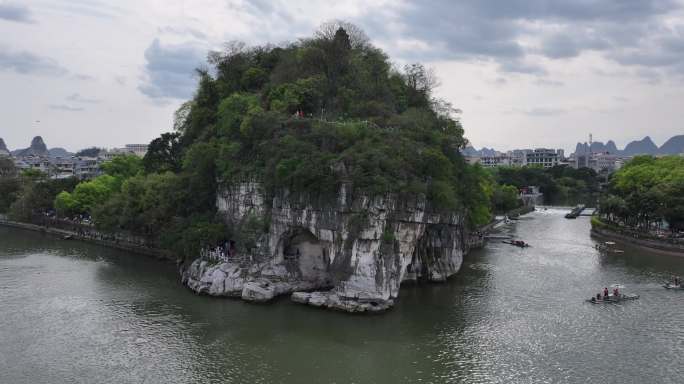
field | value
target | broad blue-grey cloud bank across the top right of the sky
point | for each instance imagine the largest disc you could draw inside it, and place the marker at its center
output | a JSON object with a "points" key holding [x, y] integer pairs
{"points": [[490, 30]]}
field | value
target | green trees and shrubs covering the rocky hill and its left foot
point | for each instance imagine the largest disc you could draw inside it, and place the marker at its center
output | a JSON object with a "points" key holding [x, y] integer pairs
{"points": [[305, 117]]}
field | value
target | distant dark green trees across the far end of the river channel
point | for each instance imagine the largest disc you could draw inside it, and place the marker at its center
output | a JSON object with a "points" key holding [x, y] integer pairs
{"points": [[560, 185]]}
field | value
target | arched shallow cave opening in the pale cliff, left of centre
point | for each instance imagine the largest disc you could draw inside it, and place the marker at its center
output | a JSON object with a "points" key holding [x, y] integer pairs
{"points": [[306, 255]]}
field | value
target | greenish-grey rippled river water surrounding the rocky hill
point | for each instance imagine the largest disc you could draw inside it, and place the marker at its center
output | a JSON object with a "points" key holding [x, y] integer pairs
{"points": [[76, 313]]}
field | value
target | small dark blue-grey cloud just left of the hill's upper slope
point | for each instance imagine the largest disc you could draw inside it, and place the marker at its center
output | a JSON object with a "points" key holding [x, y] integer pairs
{"points": [[170, 70]]}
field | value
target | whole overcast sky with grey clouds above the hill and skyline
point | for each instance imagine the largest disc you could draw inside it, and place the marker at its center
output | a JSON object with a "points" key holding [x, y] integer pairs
{"points": [[526, 73]]}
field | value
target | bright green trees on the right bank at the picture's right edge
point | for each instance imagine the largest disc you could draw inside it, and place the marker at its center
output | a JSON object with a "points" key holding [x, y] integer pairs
{"points": [[647, 192]]}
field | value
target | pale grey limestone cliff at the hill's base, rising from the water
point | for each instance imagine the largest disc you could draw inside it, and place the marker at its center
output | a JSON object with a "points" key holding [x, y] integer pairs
{"points": [[350, 254]]}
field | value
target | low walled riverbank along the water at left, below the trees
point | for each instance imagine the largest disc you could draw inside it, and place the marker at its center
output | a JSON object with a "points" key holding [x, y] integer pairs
{"points": [[75, 235]]}
